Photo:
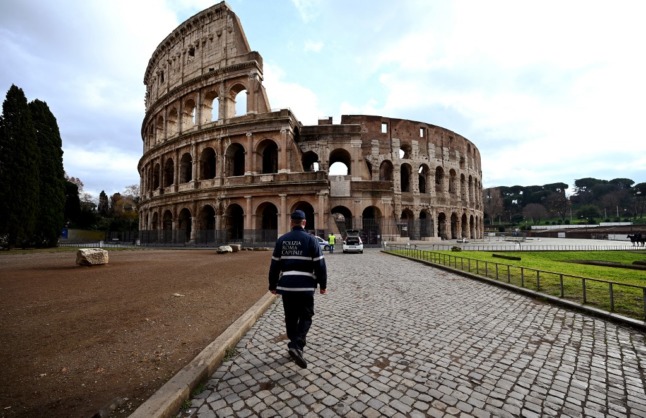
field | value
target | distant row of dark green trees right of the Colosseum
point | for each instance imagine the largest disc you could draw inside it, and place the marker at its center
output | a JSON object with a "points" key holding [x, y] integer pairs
{"points": [[591, 201]]}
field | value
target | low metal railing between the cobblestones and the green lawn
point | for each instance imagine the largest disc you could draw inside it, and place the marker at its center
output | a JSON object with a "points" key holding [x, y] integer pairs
{"points": [[619, 298]]}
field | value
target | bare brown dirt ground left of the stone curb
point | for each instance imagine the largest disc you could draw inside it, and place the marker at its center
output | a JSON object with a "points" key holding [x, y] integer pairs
{"points": [[74, 340]]}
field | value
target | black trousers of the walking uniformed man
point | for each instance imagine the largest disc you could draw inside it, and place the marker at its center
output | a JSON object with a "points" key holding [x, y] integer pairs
{"points": [[299, 310]]}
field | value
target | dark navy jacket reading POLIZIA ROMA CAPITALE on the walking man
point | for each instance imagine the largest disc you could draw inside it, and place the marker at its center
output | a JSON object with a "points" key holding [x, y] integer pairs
{"points": [[297, 264]]}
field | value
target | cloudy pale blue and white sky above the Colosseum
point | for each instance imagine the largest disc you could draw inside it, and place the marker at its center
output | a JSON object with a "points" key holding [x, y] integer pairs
{"points": [[549, 91]]}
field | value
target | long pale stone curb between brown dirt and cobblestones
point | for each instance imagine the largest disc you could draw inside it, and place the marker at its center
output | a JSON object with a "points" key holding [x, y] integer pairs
{"points": [[167, 401]]}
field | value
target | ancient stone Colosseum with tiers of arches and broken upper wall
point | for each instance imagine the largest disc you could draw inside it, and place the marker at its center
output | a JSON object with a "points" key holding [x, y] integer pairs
{"points": [[219, 165]]}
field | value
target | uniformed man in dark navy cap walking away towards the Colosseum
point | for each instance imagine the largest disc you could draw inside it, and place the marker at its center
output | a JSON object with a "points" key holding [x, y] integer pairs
{"points": [[297, 267]]}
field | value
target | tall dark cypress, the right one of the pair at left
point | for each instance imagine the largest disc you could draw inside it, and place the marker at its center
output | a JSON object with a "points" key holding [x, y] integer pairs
{"points": [[52, 175]]}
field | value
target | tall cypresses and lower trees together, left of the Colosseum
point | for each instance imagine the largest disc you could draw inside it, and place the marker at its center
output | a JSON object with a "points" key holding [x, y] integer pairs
{"points": [[37, 198]]}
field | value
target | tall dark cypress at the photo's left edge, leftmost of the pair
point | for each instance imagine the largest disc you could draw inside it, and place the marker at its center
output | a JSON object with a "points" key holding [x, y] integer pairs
{"points": [[19, 175]]}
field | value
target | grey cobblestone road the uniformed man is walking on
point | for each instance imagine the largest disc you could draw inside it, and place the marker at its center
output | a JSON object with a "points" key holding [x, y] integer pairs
{"points": [[395, 338]]}
